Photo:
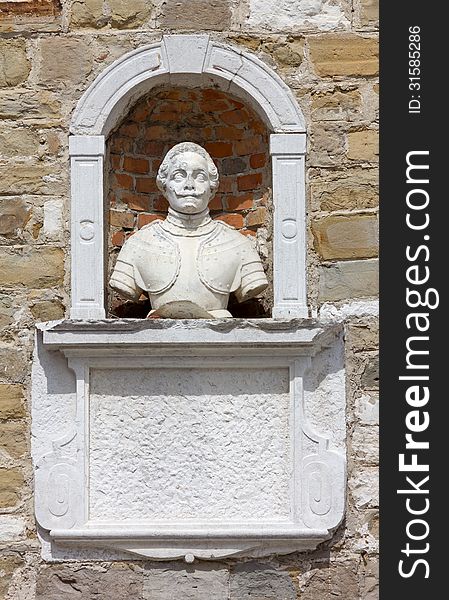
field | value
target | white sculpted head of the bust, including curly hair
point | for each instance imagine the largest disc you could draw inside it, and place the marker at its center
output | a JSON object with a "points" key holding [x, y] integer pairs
{"points": [[188, 178]]}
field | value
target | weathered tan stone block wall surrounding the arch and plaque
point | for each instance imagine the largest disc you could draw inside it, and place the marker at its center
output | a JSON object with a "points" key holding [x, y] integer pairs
{"points": [[326, 51]]}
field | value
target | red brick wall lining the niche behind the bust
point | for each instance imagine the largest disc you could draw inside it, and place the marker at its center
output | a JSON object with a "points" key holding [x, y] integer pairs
{"points": [[236, 139]]}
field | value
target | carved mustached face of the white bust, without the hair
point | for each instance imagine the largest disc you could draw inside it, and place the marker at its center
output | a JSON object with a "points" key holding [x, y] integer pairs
{"points": [[188, 188]]}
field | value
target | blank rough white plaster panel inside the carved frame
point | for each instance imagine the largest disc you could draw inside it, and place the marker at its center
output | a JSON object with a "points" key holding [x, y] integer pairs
{"points": [[190, 443]]}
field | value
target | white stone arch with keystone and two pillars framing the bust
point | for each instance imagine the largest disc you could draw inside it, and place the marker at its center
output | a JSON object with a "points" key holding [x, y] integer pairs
{"points": [[192, 61]]}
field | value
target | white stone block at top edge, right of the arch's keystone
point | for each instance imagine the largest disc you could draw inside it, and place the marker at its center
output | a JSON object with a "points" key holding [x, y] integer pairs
{"points": [[291, 14]]}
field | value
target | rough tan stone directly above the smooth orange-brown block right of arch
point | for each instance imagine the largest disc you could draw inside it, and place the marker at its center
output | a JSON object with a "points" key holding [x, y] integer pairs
{"points": [[345, 190]]}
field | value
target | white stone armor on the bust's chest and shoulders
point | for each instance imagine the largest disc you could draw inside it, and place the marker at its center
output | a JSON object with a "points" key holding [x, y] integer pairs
{"points": [[202, 263]]}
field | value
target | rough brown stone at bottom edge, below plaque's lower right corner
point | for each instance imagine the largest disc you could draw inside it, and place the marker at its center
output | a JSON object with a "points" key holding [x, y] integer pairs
{"points": [[328, 582]]}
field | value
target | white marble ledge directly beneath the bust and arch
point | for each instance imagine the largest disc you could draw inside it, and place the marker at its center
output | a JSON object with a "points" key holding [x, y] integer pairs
{"points": [[308, 335]]}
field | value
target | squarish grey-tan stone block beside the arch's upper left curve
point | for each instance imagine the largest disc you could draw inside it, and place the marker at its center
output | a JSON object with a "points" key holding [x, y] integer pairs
{"points": [[73, 65]]}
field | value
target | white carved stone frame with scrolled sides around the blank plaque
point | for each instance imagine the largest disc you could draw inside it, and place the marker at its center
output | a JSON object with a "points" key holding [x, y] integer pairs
{"points": [[318, 475]]}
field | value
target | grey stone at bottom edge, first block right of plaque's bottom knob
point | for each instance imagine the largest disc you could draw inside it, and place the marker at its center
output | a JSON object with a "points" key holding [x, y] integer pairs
{"points": [[256, 581]]}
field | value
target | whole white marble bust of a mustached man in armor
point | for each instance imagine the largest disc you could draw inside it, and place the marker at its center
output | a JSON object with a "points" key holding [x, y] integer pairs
{"points": [[188, 263]]}
